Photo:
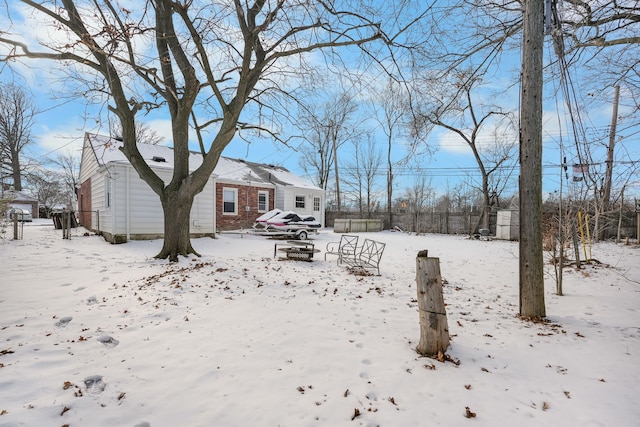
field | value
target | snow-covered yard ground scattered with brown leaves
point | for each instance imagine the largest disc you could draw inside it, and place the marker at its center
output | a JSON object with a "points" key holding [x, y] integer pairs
{"points": [[93, 334]]}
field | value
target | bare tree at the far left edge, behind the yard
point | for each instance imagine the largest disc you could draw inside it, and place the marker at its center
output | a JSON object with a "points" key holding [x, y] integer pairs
{"points": [[17, 117]]}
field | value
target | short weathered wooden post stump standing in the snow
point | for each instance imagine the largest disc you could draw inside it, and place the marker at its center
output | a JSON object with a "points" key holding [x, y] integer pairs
{"points": [[434, 330]]}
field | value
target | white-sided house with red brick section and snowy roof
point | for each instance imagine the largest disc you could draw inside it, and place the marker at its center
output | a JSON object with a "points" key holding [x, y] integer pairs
{"points": [[115, 202]]}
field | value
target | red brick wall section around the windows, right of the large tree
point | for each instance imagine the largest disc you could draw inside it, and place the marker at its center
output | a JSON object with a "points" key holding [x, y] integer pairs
{"points": [[247, 196]]}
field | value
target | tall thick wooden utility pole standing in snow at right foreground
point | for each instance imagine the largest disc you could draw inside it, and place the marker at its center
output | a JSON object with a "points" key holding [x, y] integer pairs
{"points": [[531, 260]]}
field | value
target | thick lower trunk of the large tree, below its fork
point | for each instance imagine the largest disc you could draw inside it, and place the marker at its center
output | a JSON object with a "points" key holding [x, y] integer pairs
{"points": [[176, 206]]}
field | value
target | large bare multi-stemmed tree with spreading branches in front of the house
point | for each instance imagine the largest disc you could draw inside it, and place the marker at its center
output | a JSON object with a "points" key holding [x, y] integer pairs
{"points": [[206, 65]]}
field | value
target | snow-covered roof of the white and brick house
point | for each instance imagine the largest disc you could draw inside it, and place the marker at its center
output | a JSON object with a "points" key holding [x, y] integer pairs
{"points": [[107, 150]]}
